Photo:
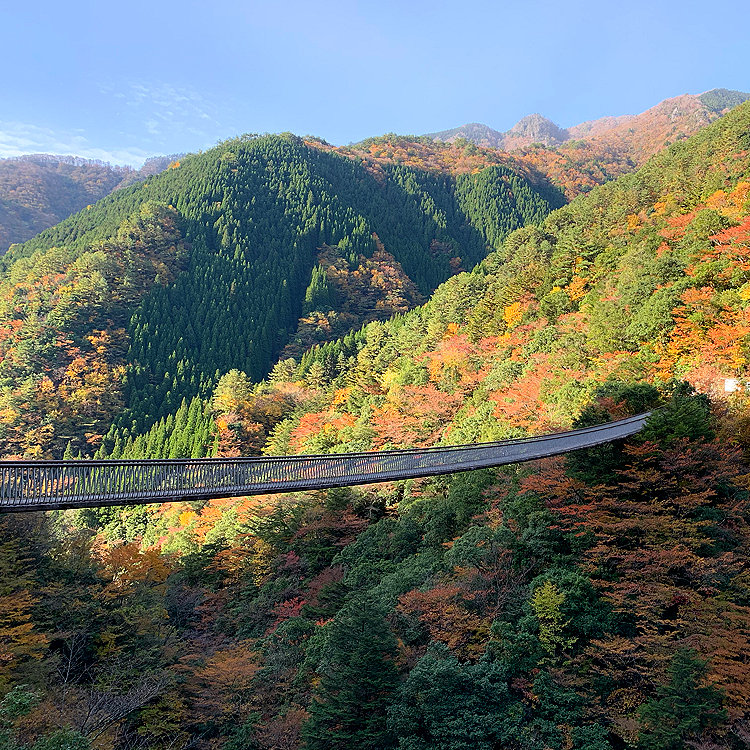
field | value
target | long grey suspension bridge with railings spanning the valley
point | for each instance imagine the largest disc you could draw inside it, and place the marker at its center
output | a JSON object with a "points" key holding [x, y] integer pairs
{"points": [[52, 485]]}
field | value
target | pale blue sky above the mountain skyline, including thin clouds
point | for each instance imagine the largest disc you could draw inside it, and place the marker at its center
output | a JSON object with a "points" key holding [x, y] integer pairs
{"points": [[123, 81]]}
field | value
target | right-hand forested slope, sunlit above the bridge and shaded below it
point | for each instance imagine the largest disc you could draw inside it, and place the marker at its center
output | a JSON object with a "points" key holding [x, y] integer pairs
{"points": [[595, 602]]}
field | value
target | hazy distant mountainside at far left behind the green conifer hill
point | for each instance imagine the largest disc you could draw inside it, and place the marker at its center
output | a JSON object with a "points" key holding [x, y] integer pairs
{"points": [[40, 190]]}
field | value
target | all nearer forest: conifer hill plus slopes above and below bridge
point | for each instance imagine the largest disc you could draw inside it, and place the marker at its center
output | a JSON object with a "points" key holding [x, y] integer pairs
{"points": [[599, 601]]}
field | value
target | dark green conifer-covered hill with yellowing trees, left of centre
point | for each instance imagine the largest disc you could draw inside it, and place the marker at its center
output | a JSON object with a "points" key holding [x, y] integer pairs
{"points": [[143, 300]]}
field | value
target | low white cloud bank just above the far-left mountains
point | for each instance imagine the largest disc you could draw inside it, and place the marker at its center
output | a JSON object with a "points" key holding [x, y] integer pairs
{"points": [[18, 138]]}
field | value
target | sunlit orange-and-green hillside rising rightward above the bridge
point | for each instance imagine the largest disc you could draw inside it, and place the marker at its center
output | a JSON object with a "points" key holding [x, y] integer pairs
{"points": [[642, 279]]}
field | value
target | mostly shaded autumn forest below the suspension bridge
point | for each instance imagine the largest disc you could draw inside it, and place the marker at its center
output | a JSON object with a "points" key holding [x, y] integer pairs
{"points": [[596, 602]]}
